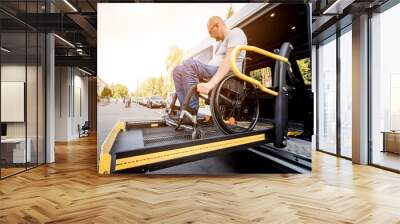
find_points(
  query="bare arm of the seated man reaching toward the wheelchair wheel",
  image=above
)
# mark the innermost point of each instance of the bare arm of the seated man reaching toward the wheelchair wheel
(222, 71)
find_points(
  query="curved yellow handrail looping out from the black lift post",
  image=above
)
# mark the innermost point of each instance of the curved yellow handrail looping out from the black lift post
(246, 78)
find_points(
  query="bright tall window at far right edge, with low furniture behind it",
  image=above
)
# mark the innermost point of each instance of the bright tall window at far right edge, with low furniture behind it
(385, 88)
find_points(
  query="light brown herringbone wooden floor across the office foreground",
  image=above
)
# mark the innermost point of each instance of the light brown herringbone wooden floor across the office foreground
(70, 191)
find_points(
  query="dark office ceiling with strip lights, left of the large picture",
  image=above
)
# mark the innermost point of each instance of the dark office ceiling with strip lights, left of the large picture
(73, 21)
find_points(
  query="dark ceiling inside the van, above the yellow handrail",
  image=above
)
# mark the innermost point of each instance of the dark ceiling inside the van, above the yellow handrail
(284, 23)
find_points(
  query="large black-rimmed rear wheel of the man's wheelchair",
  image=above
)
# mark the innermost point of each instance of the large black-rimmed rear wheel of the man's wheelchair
(234, 105)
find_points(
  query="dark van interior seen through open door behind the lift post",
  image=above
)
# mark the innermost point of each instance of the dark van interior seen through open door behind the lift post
(265, 32)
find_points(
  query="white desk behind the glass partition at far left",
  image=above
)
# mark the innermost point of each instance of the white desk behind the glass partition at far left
(17, 151)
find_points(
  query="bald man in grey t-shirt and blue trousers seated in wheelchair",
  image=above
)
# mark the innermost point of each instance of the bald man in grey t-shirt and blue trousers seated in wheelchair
(191, 71)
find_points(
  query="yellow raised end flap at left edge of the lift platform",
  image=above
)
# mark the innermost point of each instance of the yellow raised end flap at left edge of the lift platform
(105, 156)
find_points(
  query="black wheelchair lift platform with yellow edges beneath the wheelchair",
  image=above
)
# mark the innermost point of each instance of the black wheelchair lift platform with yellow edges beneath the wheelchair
(162, 150)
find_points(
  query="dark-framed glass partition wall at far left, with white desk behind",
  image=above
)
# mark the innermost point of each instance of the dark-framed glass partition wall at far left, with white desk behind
(22, 65)
